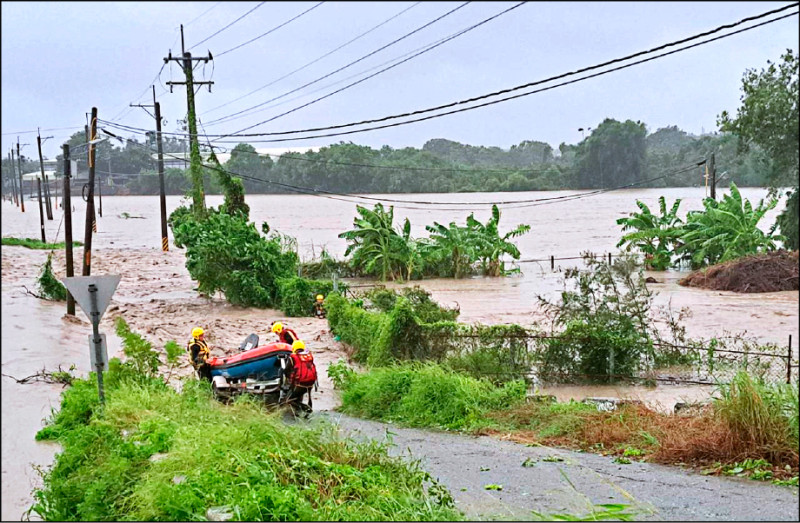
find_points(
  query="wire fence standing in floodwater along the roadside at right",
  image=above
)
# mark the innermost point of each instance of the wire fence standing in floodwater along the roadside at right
(547, 359)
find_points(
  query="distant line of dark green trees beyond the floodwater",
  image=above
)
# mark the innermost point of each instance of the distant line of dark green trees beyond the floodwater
(612, 155)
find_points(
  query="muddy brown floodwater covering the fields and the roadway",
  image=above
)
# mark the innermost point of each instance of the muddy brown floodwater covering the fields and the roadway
(157, 297)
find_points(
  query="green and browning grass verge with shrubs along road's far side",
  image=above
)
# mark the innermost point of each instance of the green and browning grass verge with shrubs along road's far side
(751, 428)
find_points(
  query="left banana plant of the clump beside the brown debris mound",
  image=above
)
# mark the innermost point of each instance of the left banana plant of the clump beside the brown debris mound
(653, 235)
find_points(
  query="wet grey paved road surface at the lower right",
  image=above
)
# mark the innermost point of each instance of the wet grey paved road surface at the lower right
(659, 492)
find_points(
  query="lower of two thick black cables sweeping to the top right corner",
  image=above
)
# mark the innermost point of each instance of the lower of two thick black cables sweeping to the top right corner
(494, 101)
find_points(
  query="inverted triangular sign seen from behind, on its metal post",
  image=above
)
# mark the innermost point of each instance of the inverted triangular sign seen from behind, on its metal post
(93, 294)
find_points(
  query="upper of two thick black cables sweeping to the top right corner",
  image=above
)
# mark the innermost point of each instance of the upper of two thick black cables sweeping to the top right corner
(557, 77)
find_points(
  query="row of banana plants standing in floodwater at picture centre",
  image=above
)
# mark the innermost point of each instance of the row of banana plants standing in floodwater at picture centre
(378, 249)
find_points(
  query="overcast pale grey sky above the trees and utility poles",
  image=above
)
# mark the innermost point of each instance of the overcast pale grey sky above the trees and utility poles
(61, 58)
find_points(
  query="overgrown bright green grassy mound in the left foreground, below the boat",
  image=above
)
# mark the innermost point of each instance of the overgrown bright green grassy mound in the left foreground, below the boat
(148, 455)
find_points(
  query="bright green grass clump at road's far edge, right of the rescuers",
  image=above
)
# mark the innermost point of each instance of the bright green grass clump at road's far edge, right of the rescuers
(426, 395)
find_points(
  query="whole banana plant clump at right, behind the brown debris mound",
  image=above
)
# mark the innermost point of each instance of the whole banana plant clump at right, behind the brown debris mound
(722, 231)
